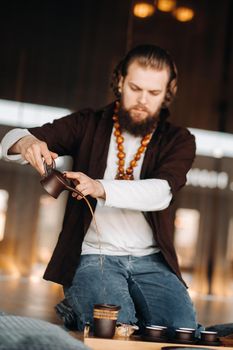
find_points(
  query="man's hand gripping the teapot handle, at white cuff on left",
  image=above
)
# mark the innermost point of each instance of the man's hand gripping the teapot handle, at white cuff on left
(34, 151)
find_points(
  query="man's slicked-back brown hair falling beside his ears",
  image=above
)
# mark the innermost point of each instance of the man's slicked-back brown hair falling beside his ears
(151, 56)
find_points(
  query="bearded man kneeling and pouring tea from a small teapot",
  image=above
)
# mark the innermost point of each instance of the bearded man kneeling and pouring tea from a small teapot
(131, 162)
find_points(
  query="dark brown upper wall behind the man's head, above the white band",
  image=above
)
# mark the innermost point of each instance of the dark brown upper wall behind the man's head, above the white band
(61, 53)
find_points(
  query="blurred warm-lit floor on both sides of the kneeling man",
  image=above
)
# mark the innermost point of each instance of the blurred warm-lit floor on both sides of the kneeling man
(37, 298)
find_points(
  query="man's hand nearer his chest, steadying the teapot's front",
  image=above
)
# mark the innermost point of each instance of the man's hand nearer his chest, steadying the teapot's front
(86, 185)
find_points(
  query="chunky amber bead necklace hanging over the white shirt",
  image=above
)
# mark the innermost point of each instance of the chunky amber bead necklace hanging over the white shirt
(122, 173)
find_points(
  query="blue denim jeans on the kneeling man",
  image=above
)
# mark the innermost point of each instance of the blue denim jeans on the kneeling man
(145, 288)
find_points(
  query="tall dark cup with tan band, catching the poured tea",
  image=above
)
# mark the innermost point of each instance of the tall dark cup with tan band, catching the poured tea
(104, 320)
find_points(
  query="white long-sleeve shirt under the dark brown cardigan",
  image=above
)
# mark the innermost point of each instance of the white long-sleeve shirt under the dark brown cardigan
(122, 226)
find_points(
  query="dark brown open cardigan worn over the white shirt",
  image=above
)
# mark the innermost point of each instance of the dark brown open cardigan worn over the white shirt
(85, 135)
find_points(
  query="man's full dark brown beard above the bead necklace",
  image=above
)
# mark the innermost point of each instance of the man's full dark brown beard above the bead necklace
(141, 128)
